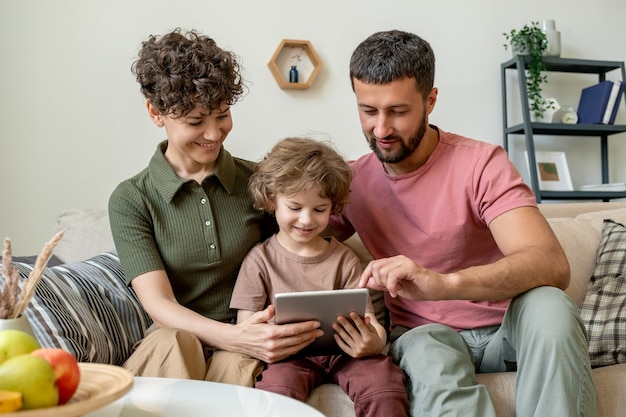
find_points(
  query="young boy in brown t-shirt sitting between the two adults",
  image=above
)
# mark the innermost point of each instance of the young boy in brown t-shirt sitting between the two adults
(302, 182)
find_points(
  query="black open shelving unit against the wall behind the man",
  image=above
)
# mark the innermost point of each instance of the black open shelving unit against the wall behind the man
(529, 128)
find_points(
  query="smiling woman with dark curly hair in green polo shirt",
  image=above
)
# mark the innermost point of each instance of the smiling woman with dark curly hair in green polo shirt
(183, 224)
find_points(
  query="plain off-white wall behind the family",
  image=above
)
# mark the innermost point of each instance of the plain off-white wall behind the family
(73, 123)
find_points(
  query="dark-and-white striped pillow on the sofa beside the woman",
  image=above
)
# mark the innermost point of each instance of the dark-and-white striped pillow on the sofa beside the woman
(86, 308)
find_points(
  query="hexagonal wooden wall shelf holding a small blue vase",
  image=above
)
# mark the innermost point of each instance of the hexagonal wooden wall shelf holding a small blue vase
(303, 56)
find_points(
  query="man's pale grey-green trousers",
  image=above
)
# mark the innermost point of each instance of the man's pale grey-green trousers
(542, 336)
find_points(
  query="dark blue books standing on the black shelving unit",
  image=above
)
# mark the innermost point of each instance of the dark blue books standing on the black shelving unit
(599, 103)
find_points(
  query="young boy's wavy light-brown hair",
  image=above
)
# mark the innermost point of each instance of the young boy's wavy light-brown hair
(297, 165)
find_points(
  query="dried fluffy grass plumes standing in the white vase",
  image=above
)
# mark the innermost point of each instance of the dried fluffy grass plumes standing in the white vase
(13, 302)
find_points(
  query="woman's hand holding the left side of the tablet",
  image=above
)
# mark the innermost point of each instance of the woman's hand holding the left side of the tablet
(259, 338)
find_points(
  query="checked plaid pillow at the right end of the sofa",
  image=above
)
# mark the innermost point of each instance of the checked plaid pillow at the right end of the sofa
(604, 308)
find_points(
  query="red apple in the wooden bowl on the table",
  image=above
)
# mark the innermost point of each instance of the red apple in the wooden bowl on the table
(66, 371)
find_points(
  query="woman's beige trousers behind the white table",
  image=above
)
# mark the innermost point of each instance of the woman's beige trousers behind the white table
(175, 353)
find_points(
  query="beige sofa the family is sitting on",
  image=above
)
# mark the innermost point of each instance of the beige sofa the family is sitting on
(577, 226)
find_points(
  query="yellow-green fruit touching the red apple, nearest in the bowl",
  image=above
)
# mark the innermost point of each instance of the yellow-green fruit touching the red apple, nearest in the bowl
(33, 377)
